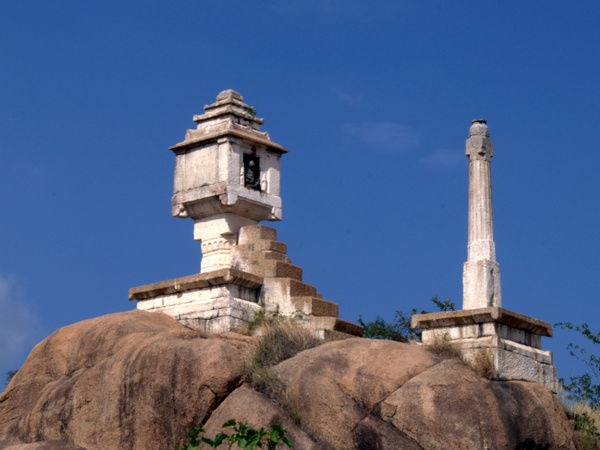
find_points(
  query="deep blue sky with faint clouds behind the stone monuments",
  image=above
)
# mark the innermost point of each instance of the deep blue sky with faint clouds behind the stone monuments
(373, 99)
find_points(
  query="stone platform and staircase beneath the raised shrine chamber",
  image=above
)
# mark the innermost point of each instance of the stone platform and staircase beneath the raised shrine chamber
(262, 278)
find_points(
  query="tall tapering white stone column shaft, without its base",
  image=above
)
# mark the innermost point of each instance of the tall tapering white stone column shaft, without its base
(481, 272)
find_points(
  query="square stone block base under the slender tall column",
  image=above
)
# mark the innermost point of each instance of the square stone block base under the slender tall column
(512, 341)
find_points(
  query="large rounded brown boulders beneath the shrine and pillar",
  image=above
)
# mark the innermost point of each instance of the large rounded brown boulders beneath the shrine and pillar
(139, 380)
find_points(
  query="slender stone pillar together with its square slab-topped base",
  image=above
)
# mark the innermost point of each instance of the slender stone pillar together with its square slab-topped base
(510, 340)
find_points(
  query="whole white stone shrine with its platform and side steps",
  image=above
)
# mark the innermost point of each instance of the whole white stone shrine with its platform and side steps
(227, 180)
